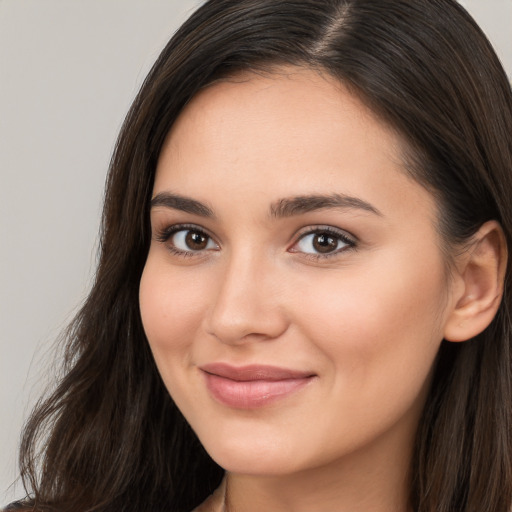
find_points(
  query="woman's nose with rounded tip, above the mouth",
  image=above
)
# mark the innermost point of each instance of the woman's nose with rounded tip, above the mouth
(248, 304)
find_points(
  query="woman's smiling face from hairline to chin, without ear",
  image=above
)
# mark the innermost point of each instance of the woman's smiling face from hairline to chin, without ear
(295, 292)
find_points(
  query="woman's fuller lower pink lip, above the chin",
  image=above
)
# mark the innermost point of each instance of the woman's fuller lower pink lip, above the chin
(254, 393)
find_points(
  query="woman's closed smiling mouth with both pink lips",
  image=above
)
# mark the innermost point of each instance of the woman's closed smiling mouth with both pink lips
(254, 386)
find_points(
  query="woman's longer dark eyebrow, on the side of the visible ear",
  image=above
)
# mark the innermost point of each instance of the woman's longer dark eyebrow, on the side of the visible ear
(298, 205)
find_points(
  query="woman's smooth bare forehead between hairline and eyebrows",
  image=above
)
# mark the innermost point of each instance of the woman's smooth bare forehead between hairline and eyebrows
(294, 131)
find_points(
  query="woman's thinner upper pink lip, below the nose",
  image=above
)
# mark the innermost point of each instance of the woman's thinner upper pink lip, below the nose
(254, 372)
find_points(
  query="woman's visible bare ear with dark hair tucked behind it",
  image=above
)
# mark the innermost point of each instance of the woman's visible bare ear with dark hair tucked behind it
(478, 287)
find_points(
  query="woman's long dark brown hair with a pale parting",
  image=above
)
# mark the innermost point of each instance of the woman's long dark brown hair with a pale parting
(110, 436)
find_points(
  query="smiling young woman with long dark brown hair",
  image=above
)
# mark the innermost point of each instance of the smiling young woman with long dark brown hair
(303, 296)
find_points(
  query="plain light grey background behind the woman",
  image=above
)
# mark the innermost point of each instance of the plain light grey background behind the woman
(68, 72)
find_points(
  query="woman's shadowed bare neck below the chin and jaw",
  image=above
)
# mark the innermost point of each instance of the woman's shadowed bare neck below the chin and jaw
(376, 479)
